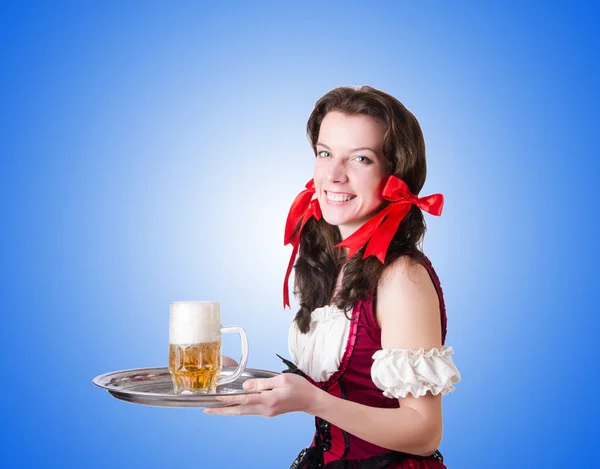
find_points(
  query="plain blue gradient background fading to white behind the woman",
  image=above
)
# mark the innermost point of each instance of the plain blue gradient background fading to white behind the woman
(150, 153)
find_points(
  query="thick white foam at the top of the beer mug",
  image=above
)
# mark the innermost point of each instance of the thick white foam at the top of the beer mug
(194, 322)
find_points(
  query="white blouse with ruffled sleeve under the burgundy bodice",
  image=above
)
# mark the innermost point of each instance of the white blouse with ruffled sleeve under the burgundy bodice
(397, 372)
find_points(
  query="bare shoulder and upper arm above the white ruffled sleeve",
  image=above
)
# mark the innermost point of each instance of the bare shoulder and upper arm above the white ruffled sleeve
(407, 307)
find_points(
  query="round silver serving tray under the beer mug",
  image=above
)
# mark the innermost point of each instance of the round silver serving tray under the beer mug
(153, 386)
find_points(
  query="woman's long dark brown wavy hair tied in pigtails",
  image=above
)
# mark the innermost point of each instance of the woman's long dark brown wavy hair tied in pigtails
(319, 261)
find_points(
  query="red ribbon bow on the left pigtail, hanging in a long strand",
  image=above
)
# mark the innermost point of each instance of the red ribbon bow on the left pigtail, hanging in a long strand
(301, 211)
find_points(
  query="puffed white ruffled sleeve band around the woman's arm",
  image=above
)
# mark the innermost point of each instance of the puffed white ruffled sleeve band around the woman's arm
(398, 372)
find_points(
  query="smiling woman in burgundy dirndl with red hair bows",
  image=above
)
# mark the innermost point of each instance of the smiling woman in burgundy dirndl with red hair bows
(367, 343)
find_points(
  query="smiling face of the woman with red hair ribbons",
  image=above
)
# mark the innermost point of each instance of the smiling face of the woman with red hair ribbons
(349, 170)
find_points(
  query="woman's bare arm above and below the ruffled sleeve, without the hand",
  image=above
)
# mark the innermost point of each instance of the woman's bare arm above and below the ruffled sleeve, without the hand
(408, 312)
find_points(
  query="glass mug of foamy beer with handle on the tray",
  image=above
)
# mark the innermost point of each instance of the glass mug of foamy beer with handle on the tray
(195, 347)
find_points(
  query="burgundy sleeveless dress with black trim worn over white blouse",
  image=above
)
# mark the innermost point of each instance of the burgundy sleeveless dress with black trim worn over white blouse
(332, 447)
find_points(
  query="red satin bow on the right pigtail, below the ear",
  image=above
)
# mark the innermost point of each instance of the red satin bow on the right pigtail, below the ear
(379, 230)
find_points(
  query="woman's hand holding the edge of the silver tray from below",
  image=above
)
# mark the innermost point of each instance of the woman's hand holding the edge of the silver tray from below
(283, 393)
